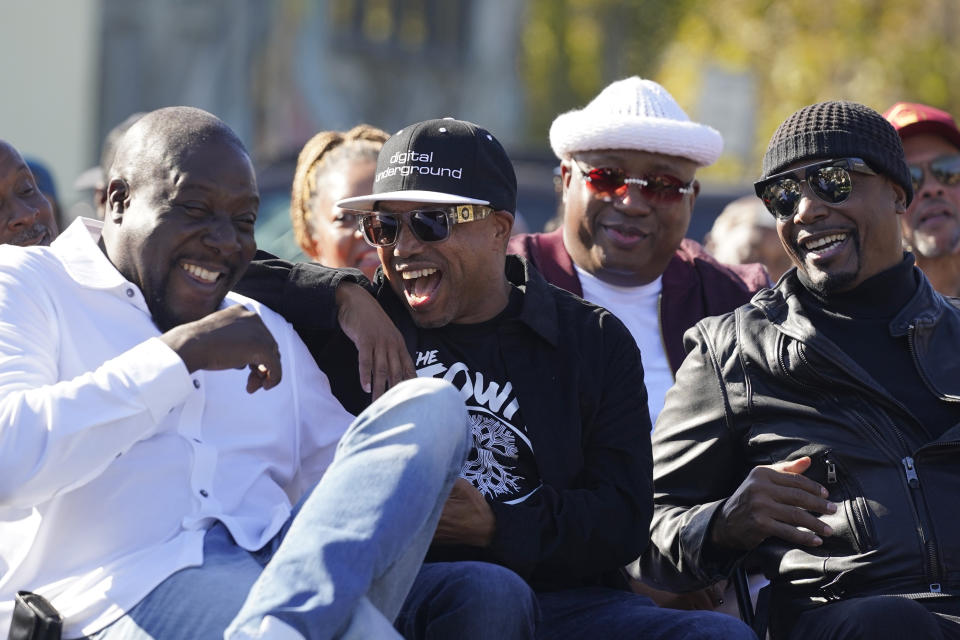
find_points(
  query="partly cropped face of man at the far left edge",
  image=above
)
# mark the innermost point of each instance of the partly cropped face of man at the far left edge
(26, 217)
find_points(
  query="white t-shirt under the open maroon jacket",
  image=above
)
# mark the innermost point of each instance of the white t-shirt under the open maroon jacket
(637, 308)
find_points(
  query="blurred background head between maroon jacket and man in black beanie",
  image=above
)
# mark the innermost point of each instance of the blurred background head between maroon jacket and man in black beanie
(745, 232)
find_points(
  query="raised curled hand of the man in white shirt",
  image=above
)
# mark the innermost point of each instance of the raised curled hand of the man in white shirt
(232, 338)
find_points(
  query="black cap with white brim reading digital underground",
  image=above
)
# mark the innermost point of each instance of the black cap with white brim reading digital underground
(444, 161)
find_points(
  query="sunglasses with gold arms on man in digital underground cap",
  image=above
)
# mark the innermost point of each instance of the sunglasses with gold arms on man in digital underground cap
(428, 225)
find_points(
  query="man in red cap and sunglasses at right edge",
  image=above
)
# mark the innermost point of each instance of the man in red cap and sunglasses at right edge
(931, 226)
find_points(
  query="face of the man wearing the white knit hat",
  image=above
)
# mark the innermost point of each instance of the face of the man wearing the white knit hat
(627, 241)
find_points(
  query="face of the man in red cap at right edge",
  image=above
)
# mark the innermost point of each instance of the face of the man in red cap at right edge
(932, 223)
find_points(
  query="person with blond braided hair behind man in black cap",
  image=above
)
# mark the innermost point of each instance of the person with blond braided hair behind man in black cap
(334, 165)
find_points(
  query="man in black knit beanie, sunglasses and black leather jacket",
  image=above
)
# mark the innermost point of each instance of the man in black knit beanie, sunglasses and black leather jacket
(816, 429)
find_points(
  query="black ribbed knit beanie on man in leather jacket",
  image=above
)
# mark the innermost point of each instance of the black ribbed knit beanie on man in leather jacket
(839, 129)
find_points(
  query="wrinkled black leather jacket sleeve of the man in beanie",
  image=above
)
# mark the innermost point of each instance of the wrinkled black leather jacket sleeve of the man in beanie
(697, 461)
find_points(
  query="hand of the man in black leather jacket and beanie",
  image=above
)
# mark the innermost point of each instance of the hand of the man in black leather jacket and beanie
(774, 500)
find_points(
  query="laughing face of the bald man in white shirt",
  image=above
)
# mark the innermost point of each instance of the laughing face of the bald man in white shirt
(181, 228)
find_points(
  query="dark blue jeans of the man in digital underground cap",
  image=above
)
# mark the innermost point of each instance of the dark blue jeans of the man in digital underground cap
(479, 601)
